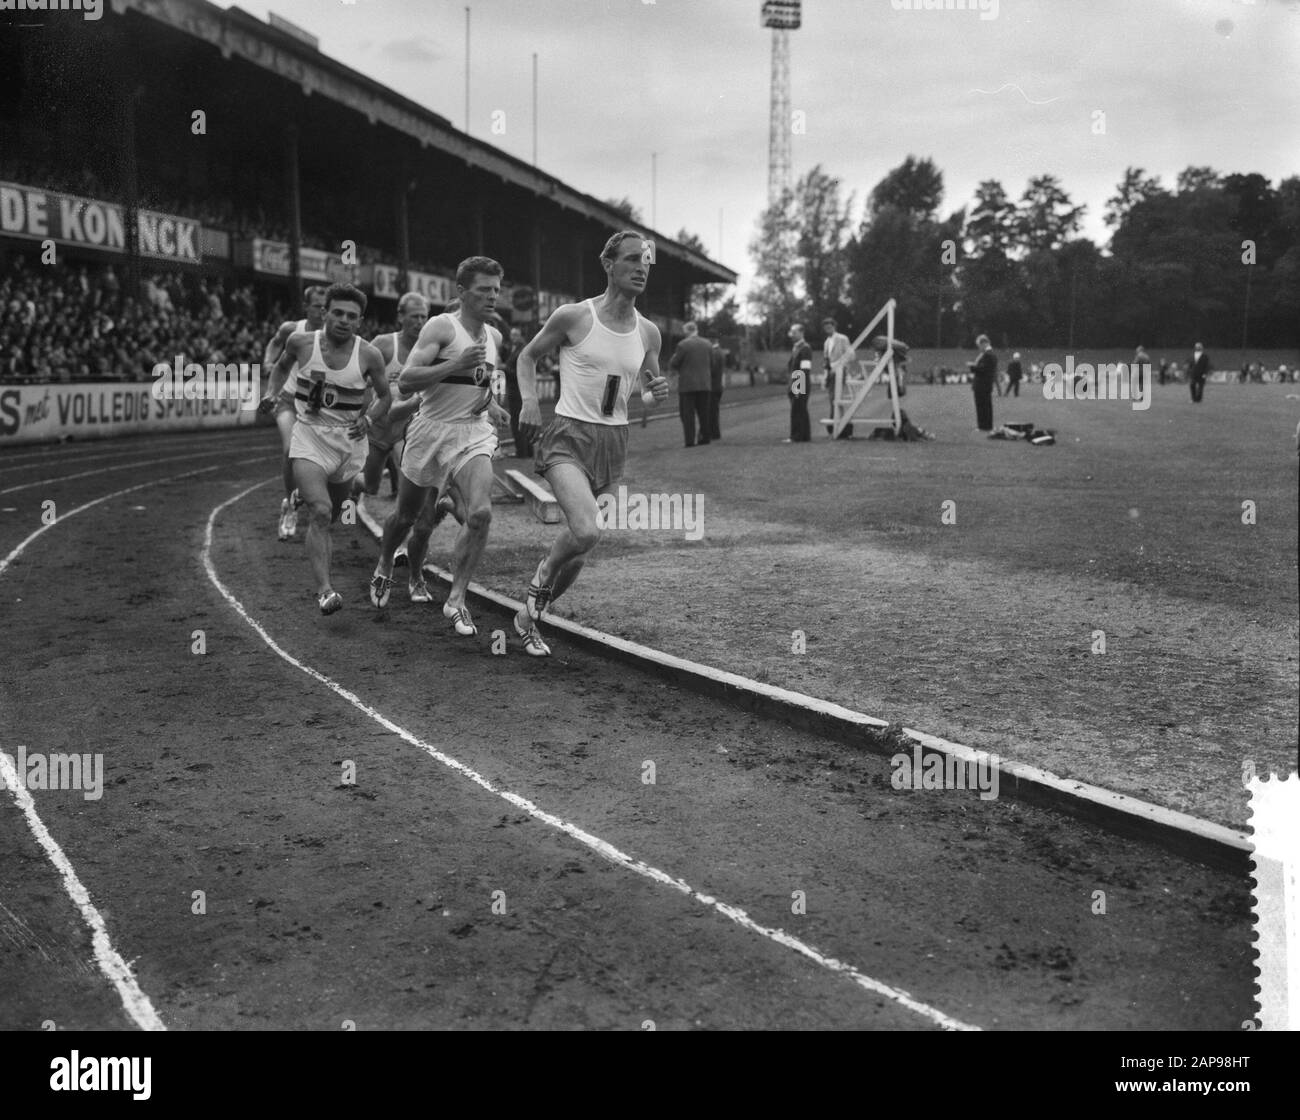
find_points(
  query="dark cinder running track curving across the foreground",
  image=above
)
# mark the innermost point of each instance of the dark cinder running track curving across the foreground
(374, 904)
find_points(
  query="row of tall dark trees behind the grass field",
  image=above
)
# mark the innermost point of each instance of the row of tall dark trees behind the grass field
(1214, 259)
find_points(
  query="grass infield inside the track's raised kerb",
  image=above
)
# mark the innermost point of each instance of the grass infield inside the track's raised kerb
(987, 631)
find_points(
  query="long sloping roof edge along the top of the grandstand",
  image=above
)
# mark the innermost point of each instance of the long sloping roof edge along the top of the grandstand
(237, 33)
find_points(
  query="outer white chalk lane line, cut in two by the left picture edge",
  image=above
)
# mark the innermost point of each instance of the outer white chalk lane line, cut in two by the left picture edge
(110, 961)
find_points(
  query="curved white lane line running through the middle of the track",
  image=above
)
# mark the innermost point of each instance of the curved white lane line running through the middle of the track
(601, 848)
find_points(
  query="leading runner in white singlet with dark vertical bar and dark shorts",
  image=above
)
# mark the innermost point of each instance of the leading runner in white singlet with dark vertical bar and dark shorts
(605, 346)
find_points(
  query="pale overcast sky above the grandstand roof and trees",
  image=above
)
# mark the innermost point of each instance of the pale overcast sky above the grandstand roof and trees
(1180, 83)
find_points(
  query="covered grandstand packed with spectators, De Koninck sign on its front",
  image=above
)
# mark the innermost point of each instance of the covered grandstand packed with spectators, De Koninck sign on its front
(190, 203)
